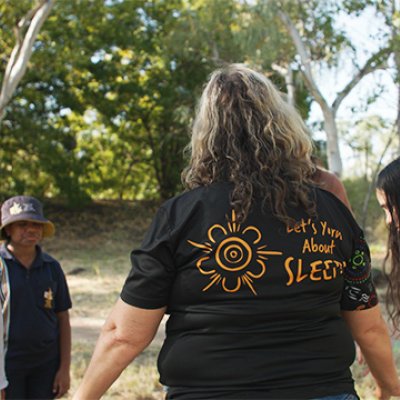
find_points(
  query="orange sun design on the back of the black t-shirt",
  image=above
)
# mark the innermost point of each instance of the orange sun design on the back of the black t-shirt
(236, 259)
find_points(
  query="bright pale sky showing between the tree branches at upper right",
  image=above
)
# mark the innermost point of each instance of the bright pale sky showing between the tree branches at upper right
(364, 33)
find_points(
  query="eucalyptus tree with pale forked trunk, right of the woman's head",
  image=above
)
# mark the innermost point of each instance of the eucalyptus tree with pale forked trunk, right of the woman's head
(307, 37)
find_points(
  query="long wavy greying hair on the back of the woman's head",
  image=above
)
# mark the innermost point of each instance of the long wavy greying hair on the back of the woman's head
(245, 133)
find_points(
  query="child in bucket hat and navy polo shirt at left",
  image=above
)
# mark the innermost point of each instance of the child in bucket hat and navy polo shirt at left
(35, 309)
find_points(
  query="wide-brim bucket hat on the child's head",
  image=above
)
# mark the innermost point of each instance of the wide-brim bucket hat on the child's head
(24, 208)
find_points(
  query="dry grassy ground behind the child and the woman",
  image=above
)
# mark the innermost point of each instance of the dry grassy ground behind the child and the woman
(98, 241)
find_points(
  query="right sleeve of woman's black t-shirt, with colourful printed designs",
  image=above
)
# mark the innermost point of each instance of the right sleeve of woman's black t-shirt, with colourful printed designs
(358, 291)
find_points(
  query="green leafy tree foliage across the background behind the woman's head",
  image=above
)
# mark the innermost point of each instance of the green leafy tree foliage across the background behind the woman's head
(106, 105)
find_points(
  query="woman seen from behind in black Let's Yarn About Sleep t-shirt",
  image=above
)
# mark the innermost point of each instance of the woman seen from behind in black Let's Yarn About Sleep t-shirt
(264, 276)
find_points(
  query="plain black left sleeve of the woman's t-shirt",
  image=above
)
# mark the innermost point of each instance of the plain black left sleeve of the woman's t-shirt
(150, 279)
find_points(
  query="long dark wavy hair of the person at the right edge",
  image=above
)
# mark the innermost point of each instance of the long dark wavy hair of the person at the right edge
(388, 183)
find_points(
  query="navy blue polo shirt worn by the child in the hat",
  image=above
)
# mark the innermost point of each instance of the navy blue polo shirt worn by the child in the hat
(37, 294)
